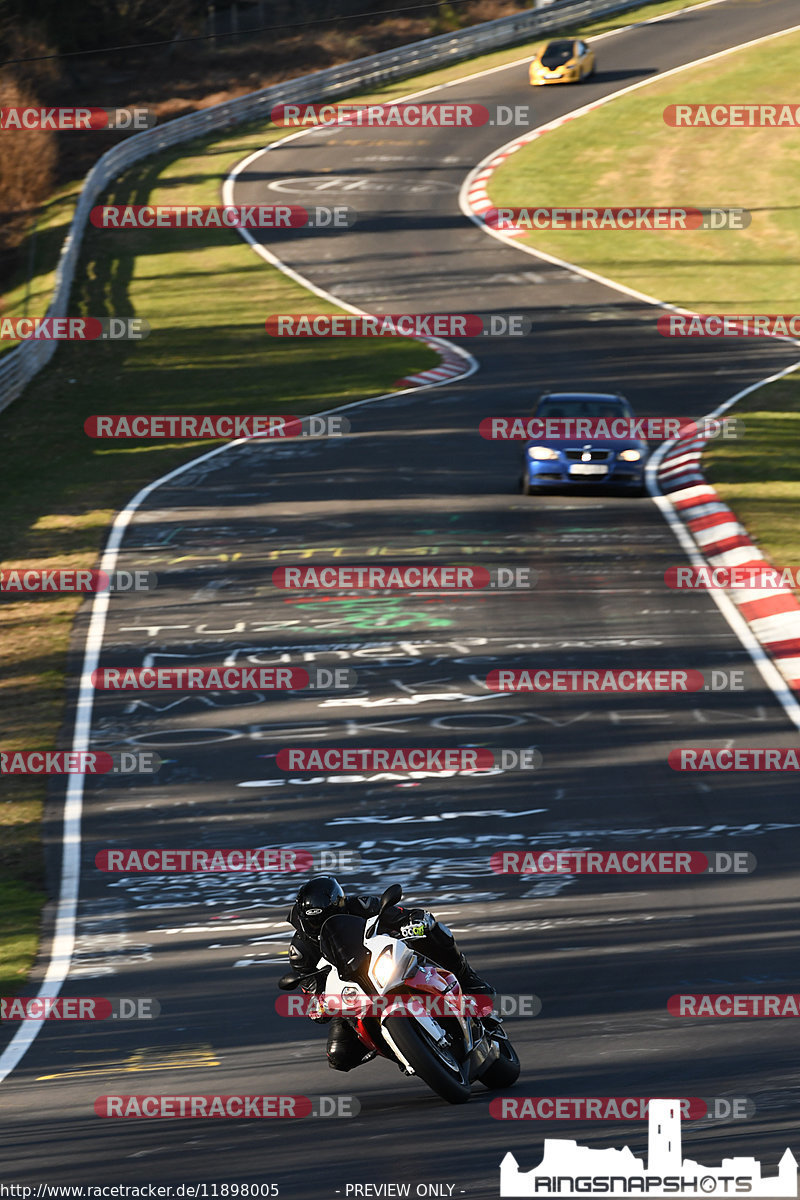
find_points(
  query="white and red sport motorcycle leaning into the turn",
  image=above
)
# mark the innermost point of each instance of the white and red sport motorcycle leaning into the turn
(388, 992)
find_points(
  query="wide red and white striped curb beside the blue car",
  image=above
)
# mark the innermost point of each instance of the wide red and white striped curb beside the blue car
(773, 614)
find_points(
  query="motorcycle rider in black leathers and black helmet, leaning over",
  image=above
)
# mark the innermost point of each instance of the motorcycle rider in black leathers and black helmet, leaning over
(323, 897)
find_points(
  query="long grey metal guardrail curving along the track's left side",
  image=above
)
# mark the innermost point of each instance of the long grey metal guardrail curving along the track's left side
(19, 368)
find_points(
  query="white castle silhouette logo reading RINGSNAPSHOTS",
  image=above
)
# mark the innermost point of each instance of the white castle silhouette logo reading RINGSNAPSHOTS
(570, 1171)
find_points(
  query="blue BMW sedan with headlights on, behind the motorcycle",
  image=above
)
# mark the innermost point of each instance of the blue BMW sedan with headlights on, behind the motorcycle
(572, 455)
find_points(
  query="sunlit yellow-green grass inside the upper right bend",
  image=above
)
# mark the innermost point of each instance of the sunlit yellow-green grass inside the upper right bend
(624, 154)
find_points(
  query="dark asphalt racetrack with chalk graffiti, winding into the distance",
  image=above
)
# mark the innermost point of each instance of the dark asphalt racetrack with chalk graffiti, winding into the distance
(416, 479)
